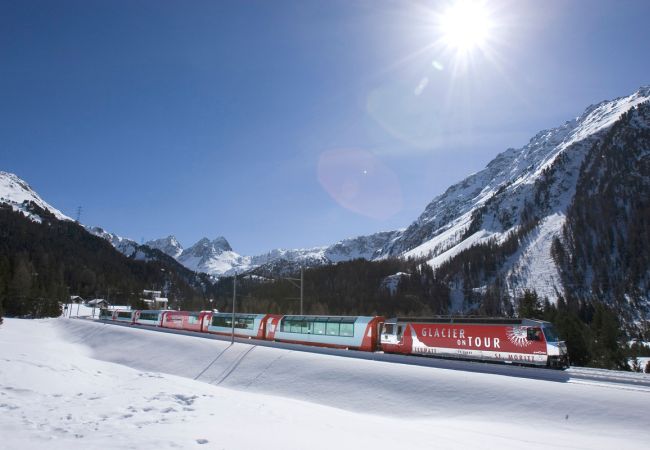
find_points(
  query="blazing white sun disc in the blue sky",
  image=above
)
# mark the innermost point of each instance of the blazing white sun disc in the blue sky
(465, 25)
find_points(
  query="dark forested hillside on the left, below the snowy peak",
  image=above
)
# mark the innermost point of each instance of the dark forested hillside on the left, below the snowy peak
(43, 260)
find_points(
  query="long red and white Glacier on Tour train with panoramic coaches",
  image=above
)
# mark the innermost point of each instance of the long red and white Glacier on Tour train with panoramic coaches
(507, 340)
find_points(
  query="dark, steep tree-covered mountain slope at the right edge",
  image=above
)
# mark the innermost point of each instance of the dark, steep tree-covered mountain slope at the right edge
(603, 251)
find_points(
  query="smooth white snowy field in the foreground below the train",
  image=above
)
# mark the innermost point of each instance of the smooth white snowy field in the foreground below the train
(76, 384)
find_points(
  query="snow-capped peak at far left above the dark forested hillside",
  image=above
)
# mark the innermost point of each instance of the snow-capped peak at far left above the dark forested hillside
(19, 195)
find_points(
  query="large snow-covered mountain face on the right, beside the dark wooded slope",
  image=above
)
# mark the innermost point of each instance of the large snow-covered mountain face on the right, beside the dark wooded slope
(527, 187)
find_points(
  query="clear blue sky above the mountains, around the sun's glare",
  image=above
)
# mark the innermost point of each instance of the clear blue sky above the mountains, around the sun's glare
(287, 123)
